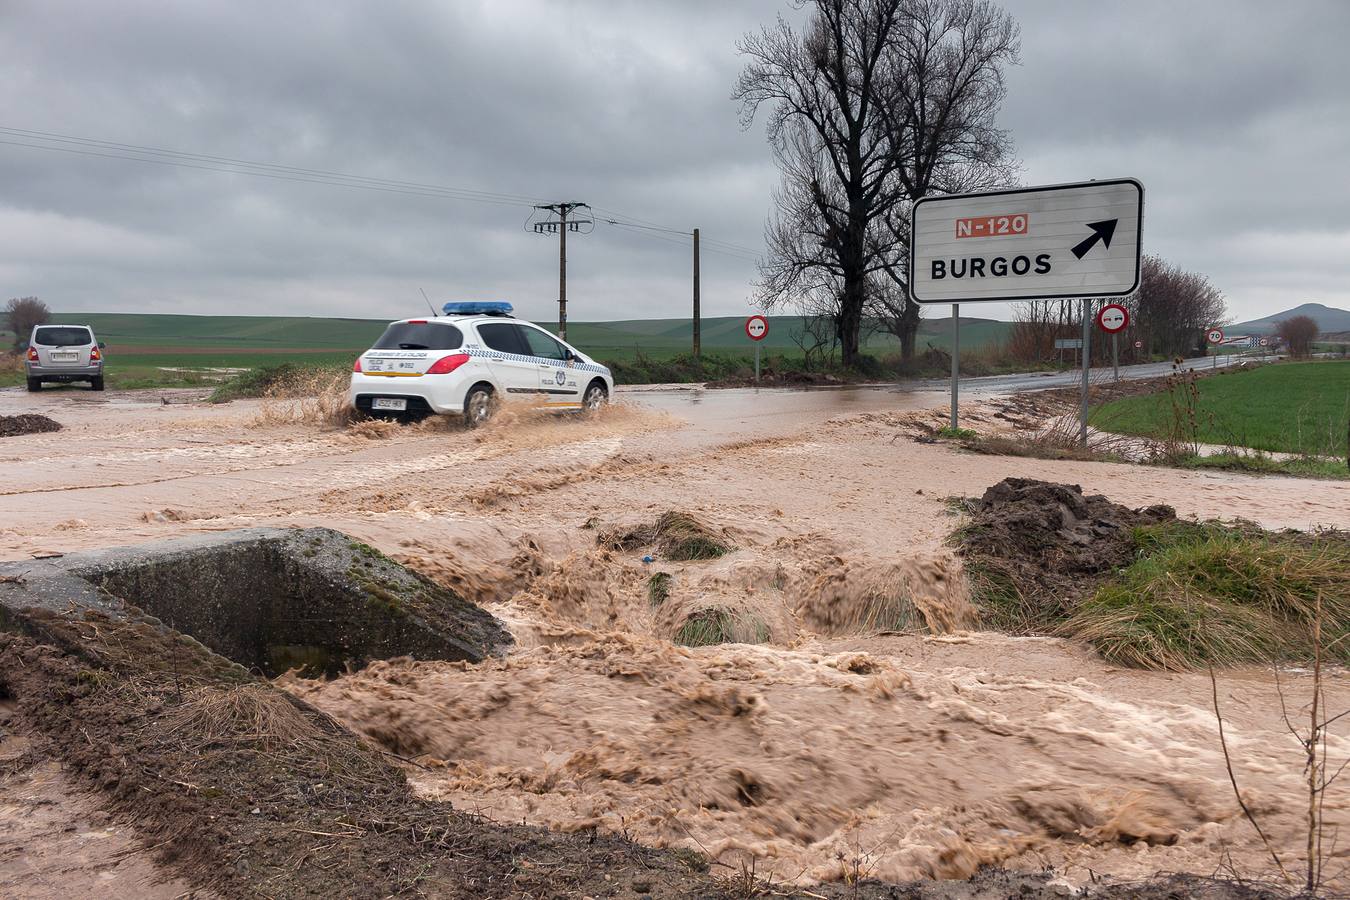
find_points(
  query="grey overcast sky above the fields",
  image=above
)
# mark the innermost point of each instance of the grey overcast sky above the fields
(1235, 115)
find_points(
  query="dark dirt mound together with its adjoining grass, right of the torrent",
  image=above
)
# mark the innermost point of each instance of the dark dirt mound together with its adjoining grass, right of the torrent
(1150, 590)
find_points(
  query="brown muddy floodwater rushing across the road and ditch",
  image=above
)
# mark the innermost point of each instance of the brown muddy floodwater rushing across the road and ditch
(862, 727)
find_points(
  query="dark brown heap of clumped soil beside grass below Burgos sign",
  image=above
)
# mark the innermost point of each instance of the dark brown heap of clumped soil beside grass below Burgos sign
(1043, 547)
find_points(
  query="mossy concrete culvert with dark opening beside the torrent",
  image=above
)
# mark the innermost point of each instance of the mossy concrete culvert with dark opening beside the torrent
(269, 600)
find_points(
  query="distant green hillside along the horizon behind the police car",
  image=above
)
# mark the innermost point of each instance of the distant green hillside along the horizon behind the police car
(190, 335)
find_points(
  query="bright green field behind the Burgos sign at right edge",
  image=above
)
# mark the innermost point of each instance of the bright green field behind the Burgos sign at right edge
(1290, 408)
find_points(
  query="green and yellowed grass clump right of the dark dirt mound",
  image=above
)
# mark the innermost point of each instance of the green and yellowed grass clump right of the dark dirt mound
(1208, 594)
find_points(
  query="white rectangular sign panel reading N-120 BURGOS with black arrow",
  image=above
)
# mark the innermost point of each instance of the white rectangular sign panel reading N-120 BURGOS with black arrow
(1032, 244)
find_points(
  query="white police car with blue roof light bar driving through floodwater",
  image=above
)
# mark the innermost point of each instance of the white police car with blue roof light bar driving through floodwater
(465, 362)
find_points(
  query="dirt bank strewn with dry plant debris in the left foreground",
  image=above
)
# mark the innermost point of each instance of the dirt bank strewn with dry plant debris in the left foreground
(245, 790)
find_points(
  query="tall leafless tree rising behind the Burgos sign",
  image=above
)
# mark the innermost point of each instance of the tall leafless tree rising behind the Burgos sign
(875, 105)
